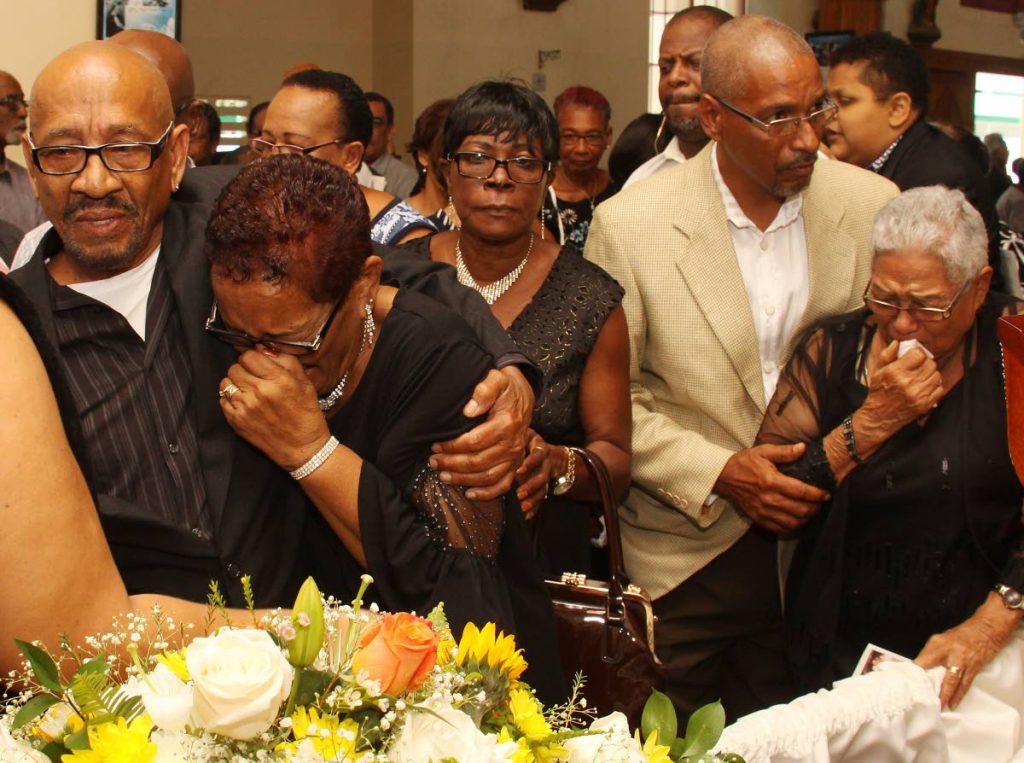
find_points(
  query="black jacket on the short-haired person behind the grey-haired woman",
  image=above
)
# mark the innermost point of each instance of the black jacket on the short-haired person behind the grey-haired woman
(926, 156)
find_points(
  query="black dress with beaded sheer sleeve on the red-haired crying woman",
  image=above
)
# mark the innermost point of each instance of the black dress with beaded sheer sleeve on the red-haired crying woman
(424, 542)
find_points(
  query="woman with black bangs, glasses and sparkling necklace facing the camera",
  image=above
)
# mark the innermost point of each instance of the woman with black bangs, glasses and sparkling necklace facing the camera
(501, 142)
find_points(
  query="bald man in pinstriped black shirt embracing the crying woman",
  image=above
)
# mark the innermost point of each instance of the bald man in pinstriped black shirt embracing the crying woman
(122, 289)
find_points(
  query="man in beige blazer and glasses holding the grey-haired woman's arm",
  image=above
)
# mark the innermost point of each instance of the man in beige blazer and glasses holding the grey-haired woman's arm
(700, 523)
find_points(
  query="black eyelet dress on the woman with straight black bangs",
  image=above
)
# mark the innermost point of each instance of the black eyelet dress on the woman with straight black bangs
(558, 330)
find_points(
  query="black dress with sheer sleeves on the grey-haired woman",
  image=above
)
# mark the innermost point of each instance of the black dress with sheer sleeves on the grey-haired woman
(914, 540)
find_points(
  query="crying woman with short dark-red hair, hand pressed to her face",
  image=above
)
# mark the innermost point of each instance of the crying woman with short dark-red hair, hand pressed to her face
(347, 384)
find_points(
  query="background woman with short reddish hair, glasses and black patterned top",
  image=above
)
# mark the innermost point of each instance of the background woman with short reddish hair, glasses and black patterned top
(584, 135)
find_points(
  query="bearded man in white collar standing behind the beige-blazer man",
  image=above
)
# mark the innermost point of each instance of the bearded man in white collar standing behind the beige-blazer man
(679, 87)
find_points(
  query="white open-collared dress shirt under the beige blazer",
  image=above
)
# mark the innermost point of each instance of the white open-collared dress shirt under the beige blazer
(774, 265)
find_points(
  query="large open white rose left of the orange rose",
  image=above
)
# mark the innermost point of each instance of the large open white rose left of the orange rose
(241, 679)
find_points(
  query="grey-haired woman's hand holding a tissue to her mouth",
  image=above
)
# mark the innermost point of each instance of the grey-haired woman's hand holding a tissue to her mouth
(902, 390)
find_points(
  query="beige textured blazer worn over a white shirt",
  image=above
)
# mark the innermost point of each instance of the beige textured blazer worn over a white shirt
(695, 367)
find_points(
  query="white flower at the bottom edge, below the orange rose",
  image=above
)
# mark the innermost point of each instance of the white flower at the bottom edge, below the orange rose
(447, 734)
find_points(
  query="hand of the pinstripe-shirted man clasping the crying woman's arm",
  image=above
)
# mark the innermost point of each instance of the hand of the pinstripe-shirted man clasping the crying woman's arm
(485, 459)
